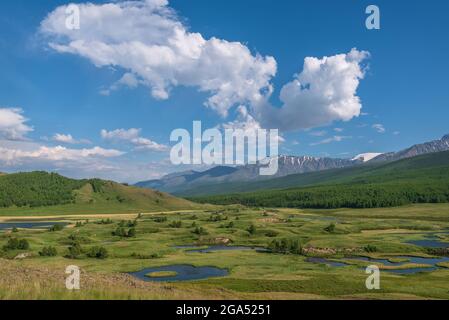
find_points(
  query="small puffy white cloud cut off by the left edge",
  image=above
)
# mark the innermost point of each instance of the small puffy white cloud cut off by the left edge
(13, 124)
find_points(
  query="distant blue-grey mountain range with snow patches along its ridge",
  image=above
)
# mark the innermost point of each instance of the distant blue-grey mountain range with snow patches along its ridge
(222, 179)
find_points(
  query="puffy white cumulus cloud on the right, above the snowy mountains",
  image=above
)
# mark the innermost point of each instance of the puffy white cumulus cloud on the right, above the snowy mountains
(325, 91)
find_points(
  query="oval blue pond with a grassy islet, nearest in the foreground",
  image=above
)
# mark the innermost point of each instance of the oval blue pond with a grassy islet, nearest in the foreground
(183, 273)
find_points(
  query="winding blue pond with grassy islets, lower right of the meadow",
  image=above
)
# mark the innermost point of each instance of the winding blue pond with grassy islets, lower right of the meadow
(431, 262)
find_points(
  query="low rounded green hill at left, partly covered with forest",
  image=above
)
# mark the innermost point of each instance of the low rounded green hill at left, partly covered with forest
(42, 192)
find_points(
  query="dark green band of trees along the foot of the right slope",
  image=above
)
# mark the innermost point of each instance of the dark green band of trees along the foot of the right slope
(339, 196)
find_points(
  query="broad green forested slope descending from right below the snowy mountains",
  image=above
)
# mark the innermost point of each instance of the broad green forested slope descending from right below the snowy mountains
(416, 180)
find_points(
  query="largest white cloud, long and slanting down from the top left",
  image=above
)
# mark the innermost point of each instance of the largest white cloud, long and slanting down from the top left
(149, 41)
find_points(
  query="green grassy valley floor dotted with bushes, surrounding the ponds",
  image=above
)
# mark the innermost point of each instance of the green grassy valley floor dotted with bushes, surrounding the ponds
(252, 275)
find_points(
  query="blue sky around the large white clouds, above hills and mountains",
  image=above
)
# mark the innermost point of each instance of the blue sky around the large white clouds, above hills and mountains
(403, 93)
